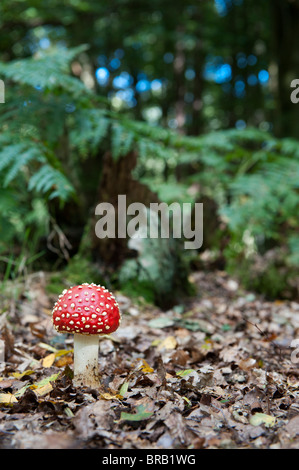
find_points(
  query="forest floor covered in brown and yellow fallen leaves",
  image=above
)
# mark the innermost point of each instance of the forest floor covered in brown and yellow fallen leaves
(215, 372)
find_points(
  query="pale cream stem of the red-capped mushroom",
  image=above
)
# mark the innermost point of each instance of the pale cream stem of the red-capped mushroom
(86, 366)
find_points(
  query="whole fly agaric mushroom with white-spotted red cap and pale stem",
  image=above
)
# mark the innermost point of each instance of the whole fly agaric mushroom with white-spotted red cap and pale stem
(87, 310)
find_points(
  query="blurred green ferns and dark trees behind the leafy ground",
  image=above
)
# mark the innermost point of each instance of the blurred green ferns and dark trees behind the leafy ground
(197, 91)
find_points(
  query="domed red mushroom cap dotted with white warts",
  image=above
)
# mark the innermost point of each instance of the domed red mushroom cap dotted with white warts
(87, 309)
